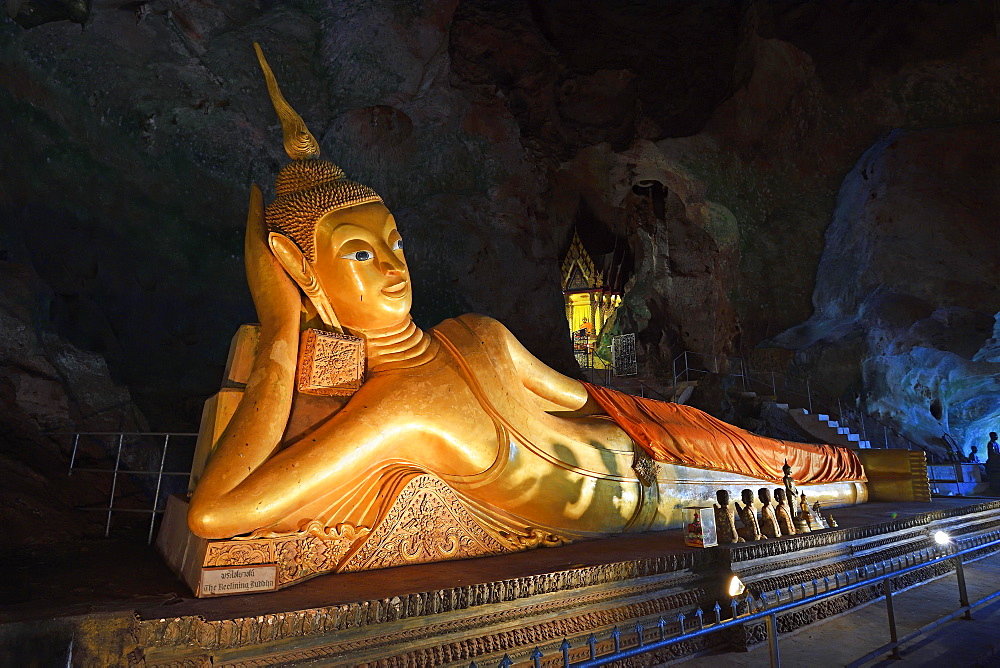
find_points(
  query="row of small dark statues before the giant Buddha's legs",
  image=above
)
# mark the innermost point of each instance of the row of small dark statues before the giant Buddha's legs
(773, 520)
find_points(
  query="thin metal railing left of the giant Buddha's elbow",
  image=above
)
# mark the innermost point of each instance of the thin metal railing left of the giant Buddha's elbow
(143, 464)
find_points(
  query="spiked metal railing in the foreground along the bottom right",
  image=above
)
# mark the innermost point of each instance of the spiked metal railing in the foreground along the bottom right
(768, 605)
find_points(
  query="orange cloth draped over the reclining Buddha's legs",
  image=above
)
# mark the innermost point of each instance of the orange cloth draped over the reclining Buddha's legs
(678, 434)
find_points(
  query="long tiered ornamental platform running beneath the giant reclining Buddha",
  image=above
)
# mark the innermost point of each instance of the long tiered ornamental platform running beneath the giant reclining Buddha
(479, 610)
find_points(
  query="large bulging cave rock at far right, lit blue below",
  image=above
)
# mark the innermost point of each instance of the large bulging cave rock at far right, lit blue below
(919, 327)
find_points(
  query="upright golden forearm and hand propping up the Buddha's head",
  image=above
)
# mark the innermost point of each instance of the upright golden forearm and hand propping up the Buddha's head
(254, 432)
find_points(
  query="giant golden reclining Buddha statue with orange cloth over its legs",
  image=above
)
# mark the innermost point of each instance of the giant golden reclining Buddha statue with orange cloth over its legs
(456, 441)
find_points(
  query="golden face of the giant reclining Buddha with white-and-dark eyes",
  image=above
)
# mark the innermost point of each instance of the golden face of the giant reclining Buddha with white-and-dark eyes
(361, 269)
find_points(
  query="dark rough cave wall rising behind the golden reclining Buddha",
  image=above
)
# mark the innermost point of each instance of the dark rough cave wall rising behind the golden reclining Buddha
(710, 140)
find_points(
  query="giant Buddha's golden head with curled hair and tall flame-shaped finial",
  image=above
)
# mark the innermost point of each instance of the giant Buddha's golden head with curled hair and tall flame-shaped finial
(334, 237)
